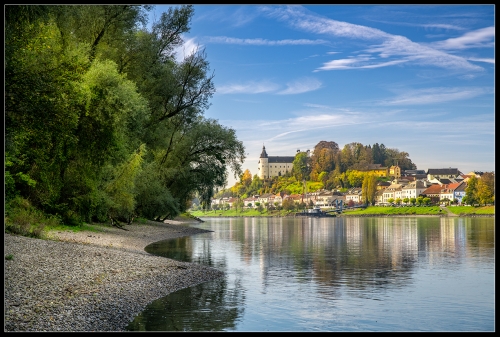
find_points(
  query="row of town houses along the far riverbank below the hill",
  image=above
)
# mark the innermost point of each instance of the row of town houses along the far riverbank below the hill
(446, 186)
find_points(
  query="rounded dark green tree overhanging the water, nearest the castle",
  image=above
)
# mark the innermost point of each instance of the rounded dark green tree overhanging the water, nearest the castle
(198, 160)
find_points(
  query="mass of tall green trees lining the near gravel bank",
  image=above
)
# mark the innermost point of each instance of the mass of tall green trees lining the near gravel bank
(102, 123)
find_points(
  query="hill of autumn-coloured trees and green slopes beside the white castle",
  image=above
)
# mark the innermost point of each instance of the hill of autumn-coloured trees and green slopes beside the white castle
(328, 167)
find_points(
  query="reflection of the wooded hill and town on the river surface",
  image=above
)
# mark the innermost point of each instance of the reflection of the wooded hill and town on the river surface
(357, 252)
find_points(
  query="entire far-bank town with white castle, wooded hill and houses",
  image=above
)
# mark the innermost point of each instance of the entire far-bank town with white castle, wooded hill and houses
(348, 177)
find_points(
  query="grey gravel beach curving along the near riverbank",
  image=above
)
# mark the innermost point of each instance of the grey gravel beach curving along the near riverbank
(92, 280)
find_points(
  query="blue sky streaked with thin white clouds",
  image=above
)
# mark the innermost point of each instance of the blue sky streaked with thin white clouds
(417, 78)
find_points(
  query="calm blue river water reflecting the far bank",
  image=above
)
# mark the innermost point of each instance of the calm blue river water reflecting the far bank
(333, 274)
